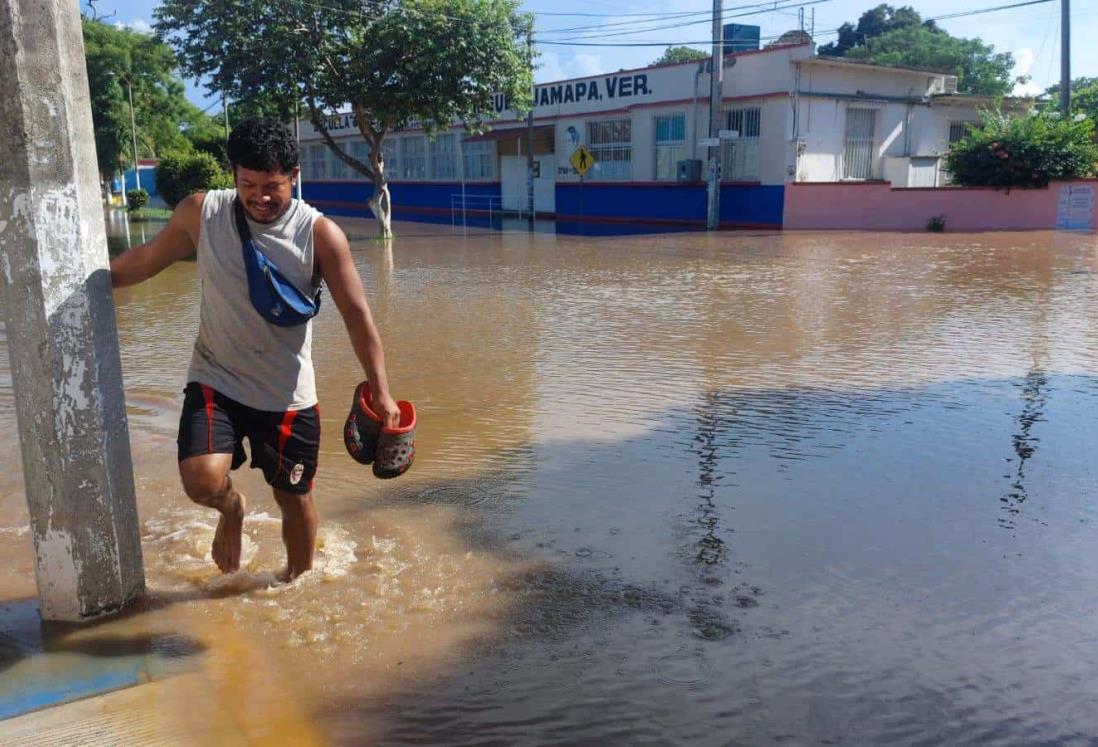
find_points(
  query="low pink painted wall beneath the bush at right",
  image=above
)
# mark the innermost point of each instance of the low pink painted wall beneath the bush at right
(878, 207)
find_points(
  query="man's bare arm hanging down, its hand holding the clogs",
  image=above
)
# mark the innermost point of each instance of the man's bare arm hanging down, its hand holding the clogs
(338, 269)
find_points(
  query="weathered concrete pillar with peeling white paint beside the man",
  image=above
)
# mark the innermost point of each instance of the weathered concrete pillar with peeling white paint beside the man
(60, 314)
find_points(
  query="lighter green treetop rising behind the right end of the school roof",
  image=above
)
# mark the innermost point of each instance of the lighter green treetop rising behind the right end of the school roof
(979, 69)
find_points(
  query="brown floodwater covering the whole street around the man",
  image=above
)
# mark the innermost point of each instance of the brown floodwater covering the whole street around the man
(694, 489)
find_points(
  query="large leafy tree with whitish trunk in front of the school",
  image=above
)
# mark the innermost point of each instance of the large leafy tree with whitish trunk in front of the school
(432, 62)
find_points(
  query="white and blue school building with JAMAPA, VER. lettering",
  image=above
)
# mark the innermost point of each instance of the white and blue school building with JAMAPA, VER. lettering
(796, 117)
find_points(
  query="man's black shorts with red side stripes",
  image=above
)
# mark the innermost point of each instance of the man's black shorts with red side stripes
(286, 445)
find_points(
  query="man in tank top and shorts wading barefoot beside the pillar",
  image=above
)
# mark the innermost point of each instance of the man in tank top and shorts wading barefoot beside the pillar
(249, 376)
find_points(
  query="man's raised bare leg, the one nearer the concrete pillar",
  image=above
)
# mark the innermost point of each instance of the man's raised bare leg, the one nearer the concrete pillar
(207, 483)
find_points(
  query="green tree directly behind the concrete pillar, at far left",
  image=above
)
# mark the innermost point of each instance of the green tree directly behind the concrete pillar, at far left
(162, 113)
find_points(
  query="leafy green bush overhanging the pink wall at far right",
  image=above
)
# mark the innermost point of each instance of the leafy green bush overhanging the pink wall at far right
(1010, 151)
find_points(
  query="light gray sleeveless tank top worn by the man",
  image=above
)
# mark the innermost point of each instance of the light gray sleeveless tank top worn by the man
(238, 352)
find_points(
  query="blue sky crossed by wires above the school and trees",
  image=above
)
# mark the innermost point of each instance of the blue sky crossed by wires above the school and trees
(1032, 35)
